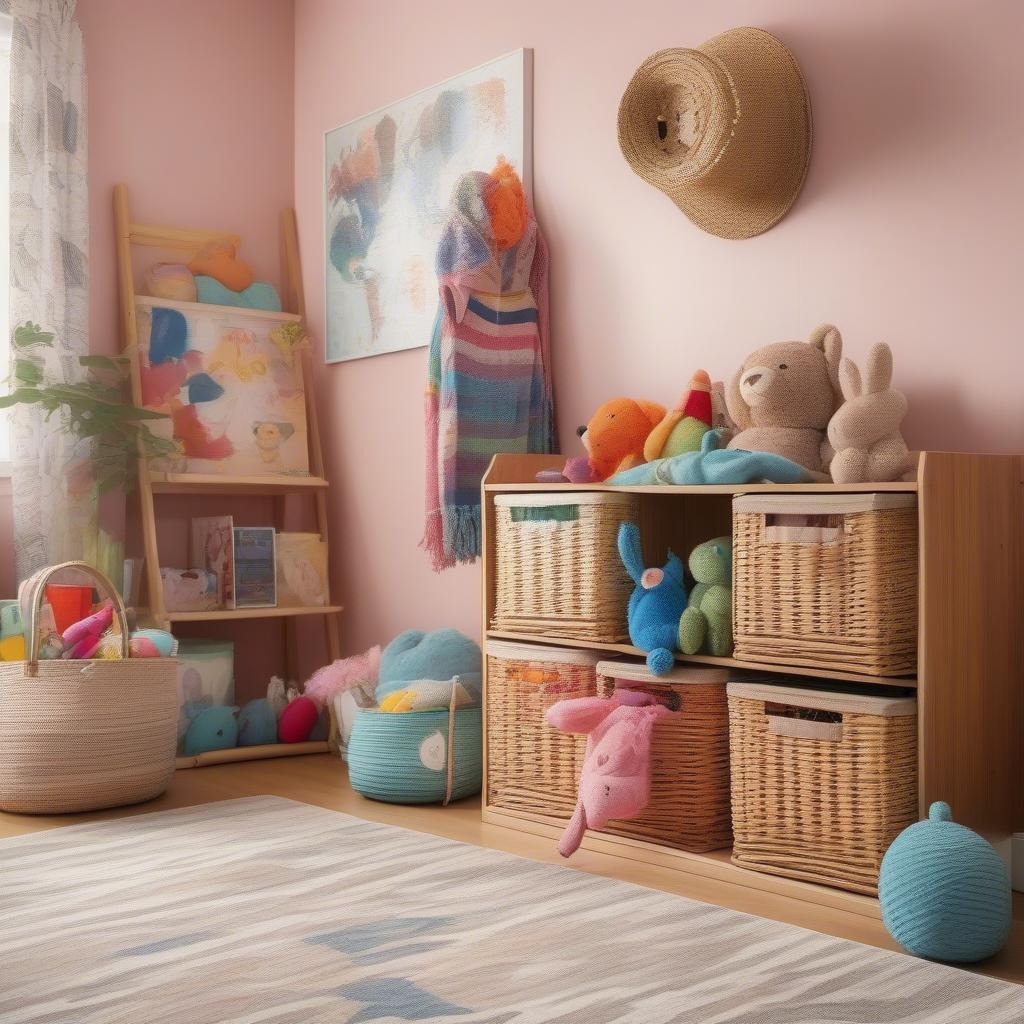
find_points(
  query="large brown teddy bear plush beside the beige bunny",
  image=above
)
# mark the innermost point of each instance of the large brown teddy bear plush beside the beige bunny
(784, 397)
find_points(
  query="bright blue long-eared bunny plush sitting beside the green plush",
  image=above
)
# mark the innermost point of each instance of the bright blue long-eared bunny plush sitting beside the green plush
(657, 604)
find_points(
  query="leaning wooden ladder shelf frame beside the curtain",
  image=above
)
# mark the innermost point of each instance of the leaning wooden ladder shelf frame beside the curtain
(151, 484)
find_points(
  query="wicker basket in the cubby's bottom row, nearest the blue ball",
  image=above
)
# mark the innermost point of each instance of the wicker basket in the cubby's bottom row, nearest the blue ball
(823, 782)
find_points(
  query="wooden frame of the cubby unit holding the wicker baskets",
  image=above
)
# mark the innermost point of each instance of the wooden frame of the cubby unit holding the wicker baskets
(970, 660)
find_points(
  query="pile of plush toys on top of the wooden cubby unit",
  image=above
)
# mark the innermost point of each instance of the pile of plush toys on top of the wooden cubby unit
(794, 412)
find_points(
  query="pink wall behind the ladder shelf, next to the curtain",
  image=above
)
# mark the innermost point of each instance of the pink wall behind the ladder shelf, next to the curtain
(191, 106)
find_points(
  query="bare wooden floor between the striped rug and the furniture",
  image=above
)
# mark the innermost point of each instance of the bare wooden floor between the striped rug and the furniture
(321, 780)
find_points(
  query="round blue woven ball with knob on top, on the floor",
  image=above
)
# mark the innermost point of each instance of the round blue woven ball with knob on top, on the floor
(945, 891)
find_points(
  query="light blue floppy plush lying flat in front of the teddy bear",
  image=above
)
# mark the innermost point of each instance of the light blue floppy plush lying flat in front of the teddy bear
(714, 464)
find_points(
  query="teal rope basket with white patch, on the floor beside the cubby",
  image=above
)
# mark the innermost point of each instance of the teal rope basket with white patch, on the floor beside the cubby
(403, 758)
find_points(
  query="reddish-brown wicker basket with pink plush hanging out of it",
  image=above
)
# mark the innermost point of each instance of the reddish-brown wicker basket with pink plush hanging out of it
(690, 794)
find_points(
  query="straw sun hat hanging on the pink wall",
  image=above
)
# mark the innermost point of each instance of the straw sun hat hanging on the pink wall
(723, 131)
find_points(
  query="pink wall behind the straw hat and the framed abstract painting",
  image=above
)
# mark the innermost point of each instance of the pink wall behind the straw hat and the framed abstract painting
(909, 231)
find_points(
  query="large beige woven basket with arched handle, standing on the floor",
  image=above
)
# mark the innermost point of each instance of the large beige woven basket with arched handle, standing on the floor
(86, 735)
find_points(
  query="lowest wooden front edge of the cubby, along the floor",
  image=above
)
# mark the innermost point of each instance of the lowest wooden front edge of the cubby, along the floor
(715, 866)
